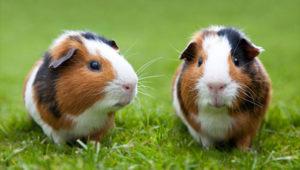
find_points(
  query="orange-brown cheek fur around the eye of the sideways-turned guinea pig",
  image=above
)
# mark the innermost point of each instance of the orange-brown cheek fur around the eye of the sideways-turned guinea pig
(78, 88)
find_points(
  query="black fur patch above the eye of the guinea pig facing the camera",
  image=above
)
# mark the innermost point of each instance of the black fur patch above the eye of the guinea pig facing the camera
(234, 37)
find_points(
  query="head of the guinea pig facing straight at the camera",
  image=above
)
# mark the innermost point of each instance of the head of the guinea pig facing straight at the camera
(219, 62)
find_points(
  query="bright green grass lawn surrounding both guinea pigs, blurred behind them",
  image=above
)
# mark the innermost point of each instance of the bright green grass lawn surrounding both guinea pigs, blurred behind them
(148, 134)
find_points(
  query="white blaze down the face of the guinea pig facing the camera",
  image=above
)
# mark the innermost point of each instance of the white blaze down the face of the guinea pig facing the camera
(216, 70)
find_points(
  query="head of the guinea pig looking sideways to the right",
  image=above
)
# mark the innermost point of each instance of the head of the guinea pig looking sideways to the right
(90, 71)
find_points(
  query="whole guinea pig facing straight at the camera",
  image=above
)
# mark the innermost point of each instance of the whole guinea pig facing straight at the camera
(221, 90)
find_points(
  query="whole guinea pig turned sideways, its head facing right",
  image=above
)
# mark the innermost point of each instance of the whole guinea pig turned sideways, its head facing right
(74, 91)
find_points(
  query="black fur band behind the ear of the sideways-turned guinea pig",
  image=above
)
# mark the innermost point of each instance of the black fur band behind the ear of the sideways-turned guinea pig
(44, 84)
